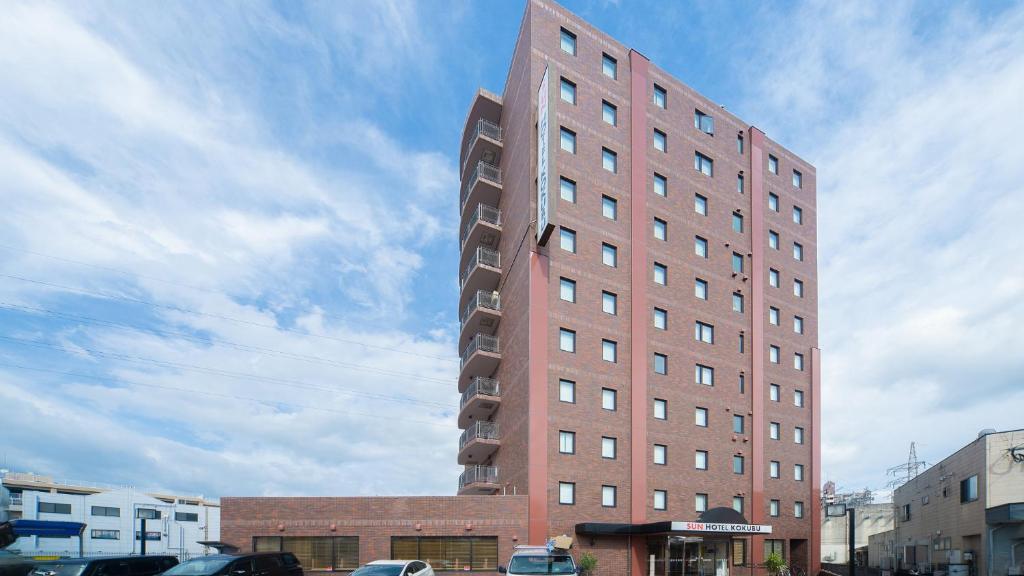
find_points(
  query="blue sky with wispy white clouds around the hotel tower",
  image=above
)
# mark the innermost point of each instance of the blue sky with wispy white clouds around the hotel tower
(228, 244)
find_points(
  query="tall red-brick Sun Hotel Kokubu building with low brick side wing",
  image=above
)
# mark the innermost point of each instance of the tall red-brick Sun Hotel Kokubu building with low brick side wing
(638, 324)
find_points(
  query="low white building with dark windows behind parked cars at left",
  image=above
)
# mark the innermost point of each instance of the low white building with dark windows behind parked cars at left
(176, 524)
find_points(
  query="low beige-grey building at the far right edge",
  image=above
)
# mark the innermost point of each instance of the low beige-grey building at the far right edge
(968, 510)
